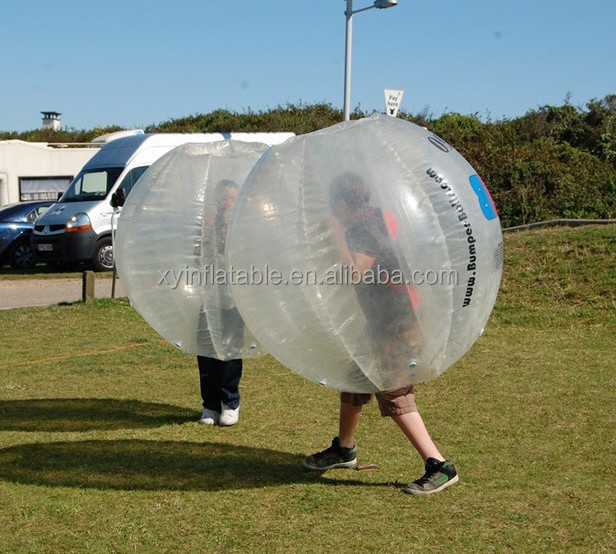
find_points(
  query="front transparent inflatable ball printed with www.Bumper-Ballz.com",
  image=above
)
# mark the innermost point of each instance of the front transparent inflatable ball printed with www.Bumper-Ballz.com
(375, 252)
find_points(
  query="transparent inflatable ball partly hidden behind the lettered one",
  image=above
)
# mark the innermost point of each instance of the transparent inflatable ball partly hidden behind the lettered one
(170, 247)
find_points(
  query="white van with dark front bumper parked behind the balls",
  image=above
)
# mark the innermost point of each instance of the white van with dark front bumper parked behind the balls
(78, 227)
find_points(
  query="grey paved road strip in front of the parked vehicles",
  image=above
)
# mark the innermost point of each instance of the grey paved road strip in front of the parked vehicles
(21, 293)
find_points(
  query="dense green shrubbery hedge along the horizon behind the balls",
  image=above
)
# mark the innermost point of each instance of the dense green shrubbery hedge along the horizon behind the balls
(553, 162)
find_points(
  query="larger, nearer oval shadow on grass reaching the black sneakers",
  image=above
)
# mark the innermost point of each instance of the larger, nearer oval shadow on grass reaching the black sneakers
(153, 465)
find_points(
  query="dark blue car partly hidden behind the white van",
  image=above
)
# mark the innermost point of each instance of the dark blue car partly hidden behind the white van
(16, 224)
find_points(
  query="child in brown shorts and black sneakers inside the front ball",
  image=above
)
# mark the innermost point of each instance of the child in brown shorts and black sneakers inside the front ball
(361, 235)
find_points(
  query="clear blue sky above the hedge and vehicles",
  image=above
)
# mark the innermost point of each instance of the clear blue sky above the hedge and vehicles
(136, 63)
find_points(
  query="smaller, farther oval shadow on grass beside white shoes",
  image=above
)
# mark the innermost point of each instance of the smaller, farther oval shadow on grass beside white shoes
(86, 414)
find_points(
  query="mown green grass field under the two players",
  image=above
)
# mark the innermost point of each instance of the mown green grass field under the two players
(100, 450)
